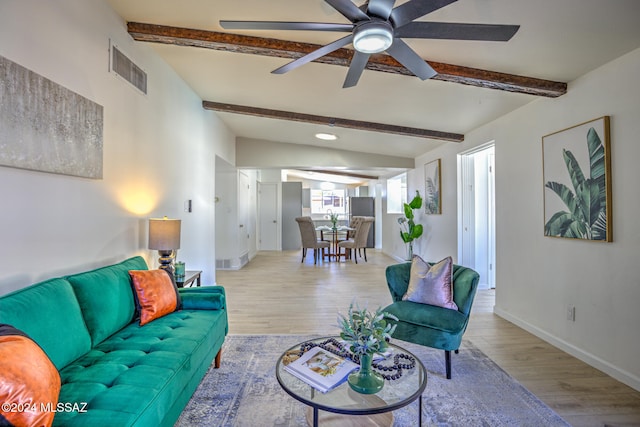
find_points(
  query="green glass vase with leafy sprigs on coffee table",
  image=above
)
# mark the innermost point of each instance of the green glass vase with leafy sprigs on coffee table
(366, 333)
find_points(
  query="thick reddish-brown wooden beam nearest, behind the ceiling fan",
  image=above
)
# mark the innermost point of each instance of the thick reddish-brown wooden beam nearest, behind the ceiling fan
(385, 63)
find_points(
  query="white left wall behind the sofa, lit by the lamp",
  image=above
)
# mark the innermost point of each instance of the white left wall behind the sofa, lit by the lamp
(159, 151)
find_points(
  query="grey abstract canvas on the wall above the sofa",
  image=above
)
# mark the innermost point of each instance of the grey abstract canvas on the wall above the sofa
(46, 127)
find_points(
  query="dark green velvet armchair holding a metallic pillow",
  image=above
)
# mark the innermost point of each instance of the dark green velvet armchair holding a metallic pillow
(428, 325)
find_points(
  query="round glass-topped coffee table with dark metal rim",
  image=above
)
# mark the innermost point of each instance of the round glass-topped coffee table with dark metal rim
(371, 409)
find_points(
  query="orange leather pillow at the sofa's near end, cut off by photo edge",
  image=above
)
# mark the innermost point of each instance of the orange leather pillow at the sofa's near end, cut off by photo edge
(29, 382)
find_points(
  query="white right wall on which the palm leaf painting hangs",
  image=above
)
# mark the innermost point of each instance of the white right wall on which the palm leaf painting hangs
(538, 276)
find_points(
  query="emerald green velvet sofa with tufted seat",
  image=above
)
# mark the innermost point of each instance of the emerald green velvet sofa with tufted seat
(119, 373)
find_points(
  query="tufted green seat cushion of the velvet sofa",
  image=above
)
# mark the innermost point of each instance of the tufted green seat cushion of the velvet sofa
(147, 367)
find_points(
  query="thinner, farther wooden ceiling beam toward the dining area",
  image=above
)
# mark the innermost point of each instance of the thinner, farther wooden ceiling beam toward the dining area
(333, 121)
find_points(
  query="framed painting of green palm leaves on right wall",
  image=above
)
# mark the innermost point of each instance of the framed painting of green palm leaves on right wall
(577, 182)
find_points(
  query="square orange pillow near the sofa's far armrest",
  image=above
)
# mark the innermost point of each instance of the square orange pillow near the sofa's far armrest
(155, 293)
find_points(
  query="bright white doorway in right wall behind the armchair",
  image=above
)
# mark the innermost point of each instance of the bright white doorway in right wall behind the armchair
(476, 227)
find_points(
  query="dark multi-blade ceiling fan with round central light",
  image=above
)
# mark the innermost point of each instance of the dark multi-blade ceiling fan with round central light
(378, 26)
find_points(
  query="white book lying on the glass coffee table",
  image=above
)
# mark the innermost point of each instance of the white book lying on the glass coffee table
(321, 369)
